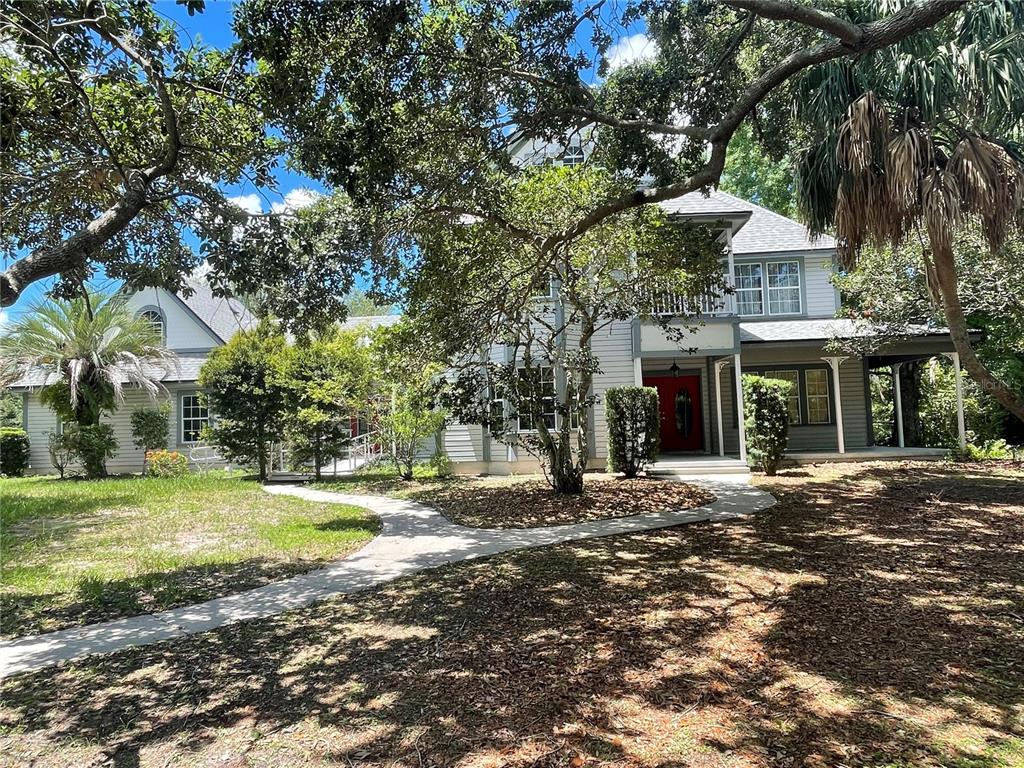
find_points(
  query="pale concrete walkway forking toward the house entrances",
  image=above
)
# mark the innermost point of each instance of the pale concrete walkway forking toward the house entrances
(414, 538)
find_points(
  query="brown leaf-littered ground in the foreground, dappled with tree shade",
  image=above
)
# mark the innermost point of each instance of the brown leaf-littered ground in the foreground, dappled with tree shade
(874, 618)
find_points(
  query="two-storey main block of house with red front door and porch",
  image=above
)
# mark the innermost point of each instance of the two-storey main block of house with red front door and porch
(780, 322)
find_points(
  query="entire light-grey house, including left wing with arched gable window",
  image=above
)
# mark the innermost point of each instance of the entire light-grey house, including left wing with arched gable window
(779, 322)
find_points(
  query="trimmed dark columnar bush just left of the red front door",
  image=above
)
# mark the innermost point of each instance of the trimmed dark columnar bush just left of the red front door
(634, 429)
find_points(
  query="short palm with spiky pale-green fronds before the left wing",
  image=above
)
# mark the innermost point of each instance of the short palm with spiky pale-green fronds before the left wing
(91, 350)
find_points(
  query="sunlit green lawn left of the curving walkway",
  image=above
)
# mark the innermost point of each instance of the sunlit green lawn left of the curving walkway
(81, 551)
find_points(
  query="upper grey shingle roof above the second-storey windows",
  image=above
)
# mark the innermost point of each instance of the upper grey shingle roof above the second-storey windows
(765, 232)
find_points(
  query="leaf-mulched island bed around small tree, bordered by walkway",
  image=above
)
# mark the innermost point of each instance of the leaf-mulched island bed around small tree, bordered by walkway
(530, 502)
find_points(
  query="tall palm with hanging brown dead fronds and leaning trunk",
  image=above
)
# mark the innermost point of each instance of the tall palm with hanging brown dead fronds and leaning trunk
(918, 141)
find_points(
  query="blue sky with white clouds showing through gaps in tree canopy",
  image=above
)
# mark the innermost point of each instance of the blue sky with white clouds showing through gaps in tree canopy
(214, 28)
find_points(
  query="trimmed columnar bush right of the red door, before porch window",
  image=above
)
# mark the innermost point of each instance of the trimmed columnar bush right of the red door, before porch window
(766, 418)
